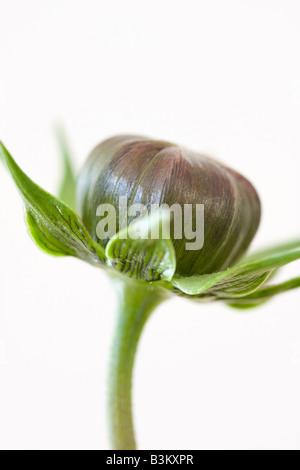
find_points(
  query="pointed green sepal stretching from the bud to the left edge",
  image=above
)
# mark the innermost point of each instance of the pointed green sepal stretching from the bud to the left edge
(52, 224)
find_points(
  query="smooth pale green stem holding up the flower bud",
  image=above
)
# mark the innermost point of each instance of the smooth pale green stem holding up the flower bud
(136, 301)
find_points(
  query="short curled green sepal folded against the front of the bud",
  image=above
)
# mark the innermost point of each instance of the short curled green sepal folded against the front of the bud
(143, 258)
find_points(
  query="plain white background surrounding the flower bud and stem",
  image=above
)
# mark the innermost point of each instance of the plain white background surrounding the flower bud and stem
(219, 77)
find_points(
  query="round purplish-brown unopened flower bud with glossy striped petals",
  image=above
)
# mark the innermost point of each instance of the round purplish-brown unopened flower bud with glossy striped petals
(214, 200)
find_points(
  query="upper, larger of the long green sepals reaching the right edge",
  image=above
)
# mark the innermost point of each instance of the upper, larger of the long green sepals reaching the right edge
(242, 279)
